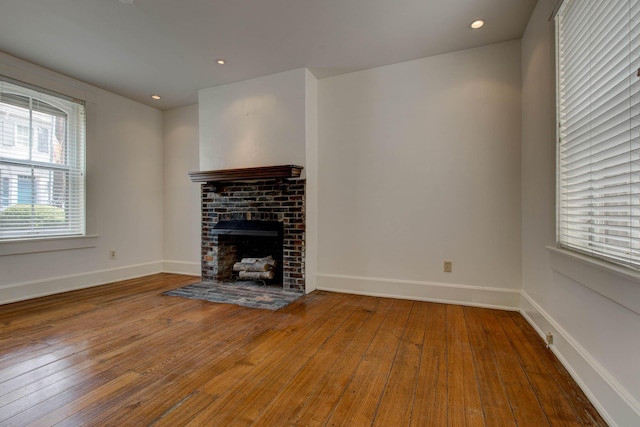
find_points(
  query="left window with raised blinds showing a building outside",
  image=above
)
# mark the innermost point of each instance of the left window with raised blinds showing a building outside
(41, 163)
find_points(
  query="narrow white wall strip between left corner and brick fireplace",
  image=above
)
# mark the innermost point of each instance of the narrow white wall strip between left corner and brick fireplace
(181, 207)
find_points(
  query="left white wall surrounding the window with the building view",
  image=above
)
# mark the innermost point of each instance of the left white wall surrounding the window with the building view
(124, 195)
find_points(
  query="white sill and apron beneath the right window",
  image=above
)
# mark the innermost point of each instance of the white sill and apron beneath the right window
(616, 283)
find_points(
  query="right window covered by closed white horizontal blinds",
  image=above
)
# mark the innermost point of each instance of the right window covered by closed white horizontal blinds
(598, 89)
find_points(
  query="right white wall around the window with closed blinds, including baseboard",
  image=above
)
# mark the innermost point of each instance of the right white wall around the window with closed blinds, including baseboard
(592, 311)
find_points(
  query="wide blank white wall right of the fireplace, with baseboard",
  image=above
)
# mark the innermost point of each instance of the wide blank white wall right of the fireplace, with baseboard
(419, 162)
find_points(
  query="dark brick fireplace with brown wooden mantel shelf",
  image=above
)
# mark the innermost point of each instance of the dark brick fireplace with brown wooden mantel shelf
(240, 195)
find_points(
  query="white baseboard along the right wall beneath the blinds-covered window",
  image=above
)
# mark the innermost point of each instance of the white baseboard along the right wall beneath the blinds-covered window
(604, 391)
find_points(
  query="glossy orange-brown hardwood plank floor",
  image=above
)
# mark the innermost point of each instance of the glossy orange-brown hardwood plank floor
(123, 354)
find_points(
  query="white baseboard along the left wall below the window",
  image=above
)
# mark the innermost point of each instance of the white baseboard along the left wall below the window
(39, 288)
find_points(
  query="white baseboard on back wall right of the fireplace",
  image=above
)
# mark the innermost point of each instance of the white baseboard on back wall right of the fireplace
(478, 296)
